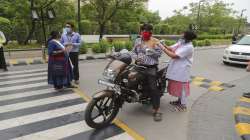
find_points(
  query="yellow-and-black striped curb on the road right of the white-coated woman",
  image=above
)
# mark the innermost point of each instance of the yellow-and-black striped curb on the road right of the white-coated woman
(211, 85)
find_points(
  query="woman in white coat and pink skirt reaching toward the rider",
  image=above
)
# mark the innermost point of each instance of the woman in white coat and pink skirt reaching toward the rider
(178, 72)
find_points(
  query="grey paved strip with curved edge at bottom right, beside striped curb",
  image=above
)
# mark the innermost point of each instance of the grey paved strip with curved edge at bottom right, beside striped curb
(211, 117)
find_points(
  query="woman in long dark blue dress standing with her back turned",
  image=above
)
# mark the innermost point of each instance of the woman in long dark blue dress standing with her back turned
(60, 72)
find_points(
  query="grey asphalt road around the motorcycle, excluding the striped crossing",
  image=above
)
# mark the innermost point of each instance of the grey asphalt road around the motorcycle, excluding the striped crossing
(178, 125)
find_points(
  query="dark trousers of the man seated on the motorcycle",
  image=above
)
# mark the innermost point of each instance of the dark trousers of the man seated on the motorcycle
(151, 87)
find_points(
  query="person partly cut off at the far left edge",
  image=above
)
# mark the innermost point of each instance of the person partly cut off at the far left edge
(2, 59)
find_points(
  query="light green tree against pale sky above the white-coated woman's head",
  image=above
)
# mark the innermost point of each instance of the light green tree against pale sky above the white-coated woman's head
(215, 16)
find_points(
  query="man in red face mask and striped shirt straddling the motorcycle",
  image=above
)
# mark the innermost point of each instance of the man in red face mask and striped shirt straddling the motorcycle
(146, 52)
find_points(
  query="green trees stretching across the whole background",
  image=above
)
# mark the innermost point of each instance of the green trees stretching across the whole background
(217, 18)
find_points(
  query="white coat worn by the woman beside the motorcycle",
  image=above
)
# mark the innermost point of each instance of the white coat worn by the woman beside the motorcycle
(180, 69)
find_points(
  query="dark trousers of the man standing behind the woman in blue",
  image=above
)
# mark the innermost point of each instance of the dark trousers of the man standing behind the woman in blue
(74, 57)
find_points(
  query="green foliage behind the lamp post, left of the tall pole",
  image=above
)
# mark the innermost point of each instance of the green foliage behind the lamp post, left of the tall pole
(20, 22)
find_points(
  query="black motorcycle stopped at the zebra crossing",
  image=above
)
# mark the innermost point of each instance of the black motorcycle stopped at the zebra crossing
(124, 82)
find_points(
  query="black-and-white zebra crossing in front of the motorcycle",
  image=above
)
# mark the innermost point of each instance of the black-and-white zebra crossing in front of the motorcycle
(30, 109)
